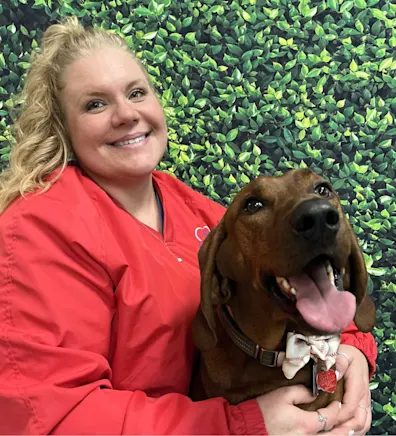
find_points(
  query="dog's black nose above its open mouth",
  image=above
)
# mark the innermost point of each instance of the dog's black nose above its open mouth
(316, 220)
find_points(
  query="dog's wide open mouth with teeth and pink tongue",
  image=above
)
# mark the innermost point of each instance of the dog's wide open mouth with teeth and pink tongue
(317, 294)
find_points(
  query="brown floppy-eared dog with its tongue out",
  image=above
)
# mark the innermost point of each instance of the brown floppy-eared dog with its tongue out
(266, 272)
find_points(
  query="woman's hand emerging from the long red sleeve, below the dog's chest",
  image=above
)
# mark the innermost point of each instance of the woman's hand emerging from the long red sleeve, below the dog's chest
(283, 417)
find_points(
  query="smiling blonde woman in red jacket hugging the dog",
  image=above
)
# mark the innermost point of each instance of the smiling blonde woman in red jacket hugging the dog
(99, 279)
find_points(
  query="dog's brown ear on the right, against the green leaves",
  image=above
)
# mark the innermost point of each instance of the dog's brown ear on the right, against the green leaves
(365, 309)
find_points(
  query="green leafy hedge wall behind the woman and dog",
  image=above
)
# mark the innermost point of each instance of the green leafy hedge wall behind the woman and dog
(257, 87)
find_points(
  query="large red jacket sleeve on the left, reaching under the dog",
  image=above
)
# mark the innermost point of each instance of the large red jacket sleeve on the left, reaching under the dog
(56, 309)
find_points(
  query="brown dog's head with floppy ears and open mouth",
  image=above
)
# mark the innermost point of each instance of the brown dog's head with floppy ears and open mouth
(284, 247)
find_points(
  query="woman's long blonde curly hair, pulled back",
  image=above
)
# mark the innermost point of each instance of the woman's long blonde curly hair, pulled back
(42, 142)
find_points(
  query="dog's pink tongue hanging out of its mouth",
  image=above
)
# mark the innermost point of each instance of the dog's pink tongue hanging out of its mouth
(320, 303)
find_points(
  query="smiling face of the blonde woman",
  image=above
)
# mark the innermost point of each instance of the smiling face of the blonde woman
(116, 123)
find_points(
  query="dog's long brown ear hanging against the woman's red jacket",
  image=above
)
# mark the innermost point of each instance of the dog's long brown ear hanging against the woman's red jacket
(214, 289)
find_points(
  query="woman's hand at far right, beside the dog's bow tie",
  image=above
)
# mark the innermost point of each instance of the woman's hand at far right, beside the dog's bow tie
(355, 414)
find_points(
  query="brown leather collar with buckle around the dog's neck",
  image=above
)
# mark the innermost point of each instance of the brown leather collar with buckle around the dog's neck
(265, 357)
